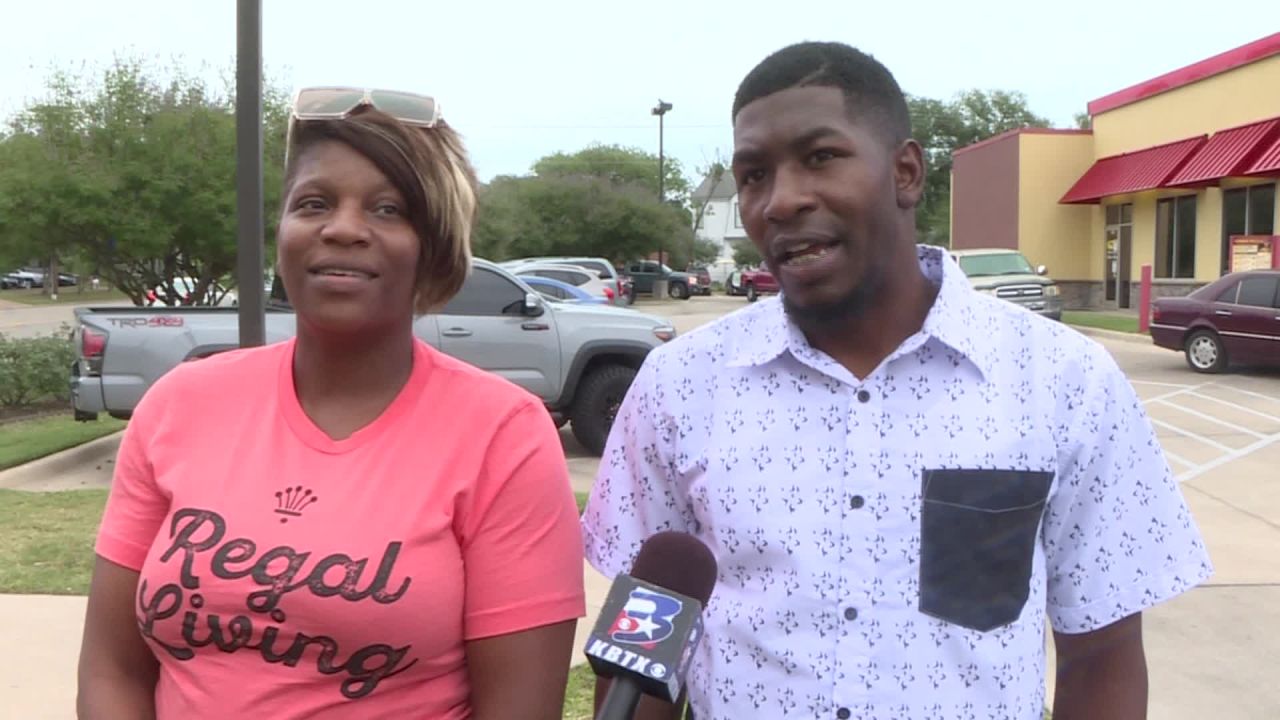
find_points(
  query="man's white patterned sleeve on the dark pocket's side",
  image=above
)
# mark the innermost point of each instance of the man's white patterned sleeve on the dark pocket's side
(1119, 536)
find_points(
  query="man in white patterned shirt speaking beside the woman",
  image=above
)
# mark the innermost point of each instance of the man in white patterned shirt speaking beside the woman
(902, 480)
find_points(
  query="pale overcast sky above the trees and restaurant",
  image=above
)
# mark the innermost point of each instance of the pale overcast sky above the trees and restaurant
(522, 80)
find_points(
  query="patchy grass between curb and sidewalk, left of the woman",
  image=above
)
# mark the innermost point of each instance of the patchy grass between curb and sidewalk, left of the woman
(47, 546)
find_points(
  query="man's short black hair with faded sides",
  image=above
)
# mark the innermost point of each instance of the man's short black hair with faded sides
(870, 89)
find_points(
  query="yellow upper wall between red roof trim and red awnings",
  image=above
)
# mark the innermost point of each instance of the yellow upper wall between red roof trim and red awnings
(1231, 99)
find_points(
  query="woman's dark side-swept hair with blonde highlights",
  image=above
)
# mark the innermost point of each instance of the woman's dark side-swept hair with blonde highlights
(431, 170)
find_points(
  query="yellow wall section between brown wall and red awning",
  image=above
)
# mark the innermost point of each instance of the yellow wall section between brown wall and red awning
(1050, 234)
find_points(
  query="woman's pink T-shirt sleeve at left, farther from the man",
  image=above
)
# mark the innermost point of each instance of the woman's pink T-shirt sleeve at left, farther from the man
(136, 507)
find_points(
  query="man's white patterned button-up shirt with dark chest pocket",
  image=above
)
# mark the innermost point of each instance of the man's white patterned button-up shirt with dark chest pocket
(892, 548)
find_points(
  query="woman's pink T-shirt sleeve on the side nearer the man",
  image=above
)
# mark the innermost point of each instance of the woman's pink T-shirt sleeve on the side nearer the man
(522, 550)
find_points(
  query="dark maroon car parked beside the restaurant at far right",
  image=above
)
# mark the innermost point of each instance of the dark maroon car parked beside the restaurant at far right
(1232, 321)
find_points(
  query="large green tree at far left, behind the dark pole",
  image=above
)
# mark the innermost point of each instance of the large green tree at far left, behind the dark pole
(136, 176)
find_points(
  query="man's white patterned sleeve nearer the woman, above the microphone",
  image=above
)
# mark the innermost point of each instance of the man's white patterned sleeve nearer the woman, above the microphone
(638, 491)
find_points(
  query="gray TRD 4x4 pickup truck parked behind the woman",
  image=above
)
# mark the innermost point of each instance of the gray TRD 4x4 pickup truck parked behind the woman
(579, 359)
